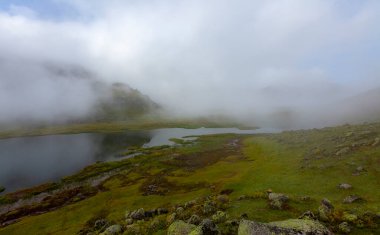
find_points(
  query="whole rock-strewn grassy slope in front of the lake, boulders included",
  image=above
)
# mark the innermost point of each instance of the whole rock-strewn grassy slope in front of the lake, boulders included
(327, 177)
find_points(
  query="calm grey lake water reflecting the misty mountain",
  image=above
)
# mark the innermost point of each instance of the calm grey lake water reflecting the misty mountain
(29, 161)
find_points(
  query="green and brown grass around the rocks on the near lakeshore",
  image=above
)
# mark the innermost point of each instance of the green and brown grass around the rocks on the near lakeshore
(307, 166)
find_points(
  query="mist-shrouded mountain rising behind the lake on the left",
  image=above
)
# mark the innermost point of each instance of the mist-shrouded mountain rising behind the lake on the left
(57, 93)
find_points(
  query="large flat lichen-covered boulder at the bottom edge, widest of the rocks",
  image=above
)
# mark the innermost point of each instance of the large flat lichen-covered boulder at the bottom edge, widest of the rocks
(286, 227)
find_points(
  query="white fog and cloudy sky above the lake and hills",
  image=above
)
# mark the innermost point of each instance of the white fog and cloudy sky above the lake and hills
(287, 63)
